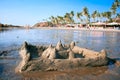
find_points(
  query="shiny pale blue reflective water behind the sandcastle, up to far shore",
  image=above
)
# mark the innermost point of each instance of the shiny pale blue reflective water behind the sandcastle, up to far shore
(95, 40)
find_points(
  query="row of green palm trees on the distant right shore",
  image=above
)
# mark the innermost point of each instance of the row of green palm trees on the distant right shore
(84, 17)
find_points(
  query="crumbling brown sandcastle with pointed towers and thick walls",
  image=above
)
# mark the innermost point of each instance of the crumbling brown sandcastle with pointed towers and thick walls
(59, 57)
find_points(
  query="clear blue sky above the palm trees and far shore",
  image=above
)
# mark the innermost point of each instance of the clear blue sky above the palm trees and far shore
(23, 12)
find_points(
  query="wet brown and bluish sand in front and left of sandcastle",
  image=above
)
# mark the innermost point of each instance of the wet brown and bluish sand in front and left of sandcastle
(9, 62)
